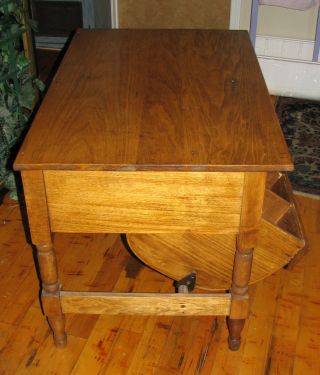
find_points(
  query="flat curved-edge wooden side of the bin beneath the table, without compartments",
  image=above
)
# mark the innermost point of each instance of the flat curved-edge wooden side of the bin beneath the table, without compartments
(212, 256)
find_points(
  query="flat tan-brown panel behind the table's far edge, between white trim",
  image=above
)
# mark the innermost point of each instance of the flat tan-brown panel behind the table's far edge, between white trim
(176, 14)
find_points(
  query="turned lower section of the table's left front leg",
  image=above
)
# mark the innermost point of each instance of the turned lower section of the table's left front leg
(50, 293)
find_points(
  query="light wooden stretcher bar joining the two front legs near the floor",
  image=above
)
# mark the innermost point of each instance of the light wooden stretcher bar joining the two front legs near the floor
(145, 303)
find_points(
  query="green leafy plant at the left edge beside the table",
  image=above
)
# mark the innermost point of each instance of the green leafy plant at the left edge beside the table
(18, 85)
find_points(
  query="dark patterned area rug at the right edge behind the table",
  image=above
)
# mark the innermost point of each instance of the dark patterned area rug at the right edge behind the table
(300, 121)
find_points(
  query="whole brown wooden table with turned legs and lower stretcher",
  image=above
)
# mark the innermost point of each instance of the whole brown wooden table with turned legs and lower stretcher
(152, 132)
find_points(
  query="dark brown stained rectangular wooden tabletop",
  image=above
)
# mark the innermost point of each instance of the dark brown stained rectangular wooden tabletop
(192, 100)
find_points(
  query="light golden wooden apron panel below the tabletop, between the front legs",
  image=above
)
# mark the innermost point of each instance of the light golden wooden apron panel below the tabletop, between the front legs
(144, 202)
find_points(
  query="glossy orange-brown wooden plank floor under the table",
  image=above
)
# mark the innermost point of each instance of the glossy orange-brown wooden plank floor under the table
(282, 335)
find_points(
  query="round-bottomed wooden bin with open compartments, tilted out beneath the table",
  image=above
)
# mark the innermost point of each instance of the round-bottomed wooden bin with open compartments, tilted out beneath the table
(212, 256)
